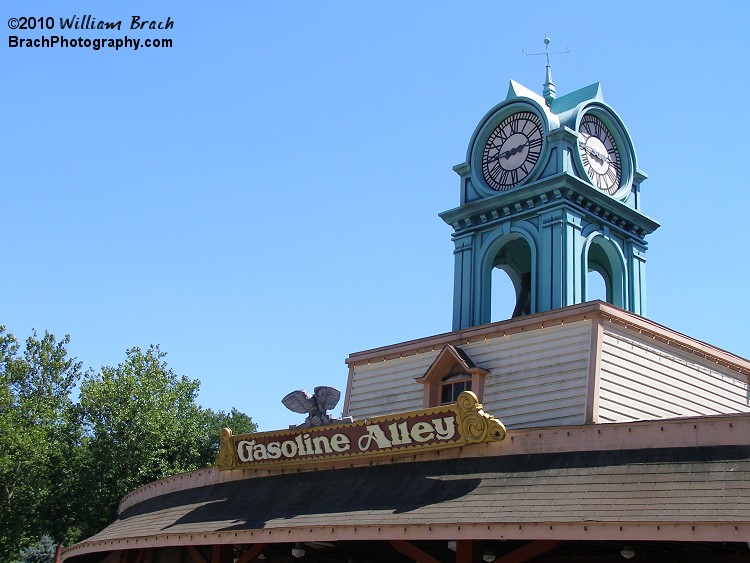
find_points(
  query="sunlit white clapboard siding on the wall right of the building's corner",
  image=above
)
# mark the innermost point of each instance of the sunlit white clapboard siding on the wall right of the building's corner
(643, 379)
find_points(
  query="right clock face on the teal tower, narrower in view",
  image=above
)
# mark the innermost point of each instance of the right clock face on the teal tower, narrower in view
(599, 154)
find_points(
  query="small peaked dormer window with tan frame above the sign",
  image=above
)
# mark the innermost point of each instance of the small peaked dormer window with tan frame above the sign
(451, 373)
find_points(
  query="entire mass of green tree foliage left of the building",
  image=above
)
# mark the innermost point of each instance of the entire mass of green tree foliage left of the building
(64, 465)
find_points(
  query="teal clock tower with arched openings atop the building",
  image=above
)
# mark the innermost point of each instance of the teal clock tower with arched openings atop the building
(550, 190)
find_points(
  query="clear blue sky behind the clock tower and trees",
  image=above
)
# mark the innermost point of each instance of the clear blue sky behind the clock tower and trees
(261, 199)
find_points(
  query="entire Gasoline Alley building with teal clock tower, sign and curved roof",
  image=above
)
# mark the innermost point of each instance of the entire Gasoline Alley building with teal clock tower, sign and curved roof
(576, 430)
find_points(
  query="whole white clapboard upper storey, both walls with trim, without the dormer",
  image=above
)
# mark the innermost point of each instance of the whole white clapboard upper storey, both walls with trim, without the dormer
(540, 371)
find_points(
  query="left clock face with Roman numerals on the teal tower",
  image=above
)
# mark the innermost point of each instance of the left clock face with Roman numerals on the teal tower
(512, 150)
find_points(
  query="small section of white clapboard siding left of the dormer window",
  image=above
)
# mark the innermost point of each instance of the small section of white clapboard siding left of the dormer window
(387, 387)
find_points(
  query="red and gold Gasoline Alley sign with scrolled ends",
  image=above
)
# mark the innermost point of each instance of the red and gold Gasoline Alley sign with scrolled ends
(441, 427)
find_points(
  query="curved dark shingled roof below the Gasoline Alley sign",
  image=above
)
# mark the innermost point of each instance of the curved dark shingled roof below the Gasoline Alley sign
(705, 484)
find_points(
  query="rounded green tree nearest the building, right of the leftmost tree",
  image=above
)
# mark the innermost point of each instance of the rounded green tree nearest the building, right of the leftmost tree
(143, 424)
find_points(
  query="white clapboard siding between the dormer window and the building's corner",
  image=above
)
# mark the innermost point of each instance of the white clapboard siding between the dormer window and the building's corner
(537, 378)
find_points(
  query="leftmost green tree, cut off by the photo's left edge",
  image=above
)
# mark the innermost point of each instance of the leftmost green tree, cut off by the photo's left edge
(39, 441)
